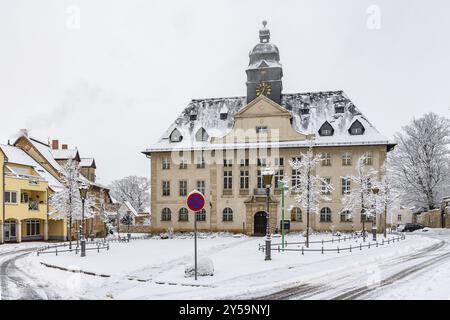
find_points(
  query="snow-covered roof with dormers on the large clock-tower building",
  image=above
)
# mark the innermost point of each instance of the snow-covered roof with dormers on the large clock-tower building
(309, 112)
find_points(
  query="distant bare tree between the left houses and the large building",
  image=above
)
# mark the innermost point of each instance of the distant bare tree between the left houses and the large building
(133, 189)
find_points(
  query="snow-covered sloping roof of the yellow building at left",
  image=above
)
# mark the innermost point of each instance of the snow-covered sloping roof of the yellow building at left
(18, 156)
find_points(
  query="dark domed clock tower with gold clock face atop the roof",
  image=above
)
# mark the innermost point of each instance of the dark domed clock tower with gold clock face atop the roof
(264, 71)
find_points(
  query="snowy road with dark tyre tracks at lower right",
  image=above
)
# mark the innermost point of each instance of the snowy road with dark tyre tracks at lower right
(354, 283)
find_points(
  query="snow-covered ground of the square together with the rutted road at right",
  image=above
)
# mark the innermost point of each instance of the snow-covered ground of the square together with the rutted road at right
(154, 269)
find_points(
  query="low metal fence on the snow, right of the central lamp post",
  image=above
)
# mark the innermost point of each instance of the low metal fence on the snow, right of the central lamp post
(338, 250)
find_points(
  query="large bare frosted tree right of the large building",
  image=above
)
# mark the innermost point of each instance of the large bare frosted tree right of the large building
(420, 162)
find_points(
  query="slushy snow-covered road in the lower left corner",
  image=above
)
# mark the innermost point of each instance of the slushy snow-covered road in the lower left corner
(16, 284)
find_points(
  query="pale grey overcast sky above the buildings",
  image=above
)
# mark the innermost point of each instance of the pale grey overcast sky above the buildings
(112, 86)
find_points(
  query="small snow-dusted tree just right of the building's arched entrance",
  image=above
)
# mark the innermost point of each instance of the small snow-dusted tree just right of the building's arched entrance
(309, 188)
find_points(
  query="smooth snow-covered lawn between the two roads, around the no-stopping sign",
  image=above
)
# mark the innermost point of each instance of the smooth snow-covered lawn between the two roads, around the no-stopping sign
(155, 268)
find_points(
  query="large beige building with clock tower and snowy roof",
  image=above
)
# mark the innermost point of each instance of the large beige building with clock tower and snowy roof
(221, 146)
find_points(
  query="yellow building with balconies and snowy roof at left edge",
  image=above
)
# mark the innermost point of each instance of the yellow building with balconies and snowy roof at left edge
(26, 187)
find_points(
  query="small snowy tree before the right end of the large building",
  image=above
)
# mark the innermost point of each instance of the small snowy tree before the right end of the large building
(358, 193)
